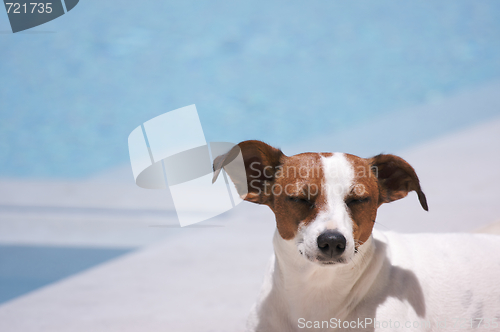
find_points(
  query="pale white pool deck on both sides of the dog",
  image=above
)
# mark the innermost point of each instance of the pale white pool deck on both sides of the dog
(206, 277)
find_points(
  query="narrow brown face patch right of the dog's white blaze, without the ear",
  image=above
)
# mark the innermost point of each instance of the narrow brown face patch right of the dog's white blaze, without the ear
(363, 201)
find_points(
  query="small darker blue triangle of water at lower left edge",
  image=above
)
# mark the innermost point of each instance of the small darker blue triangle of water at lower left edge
(26, 268)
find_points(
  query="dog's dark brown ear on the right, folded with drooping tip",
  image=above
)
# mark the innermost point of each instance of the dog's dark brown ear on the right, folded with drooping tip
(396, 178)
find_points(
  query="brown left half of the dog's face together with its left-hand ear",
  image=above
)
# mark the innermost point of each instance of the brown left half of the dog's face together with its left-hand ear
(290, 186)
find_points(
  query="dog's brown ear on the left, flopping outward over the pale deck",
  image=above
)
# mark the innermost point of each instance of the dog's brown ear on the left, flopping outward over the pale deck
(260, 161)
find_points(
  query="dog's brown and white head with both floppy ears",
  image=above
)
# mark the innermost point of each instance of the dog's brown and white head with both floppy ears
(325, 202)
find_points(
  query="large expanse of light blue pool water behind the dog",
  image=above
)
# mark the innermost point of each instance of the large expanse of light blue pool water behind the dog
(282, 71)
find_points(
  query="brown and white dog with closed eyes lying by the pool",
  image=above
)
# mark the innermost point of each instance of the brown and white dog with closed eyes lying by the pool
(332, 271)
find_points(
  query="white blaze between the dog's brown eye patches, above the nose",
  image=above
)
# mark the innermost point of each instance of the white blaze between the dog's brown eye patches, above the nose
(338, 181)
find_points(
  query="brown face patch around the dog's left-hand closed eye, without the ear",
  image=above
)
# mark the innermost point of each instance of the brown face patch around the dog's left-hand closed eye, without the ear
(297, 193)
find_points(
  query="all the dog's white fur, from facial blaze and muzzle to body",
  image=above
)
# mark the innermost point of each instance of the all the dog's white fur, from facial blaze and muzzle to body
(449, 281)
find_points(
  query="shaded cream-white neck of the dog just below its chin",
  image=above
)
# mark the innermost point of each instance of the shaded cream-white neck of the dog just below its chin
(298, 279)
